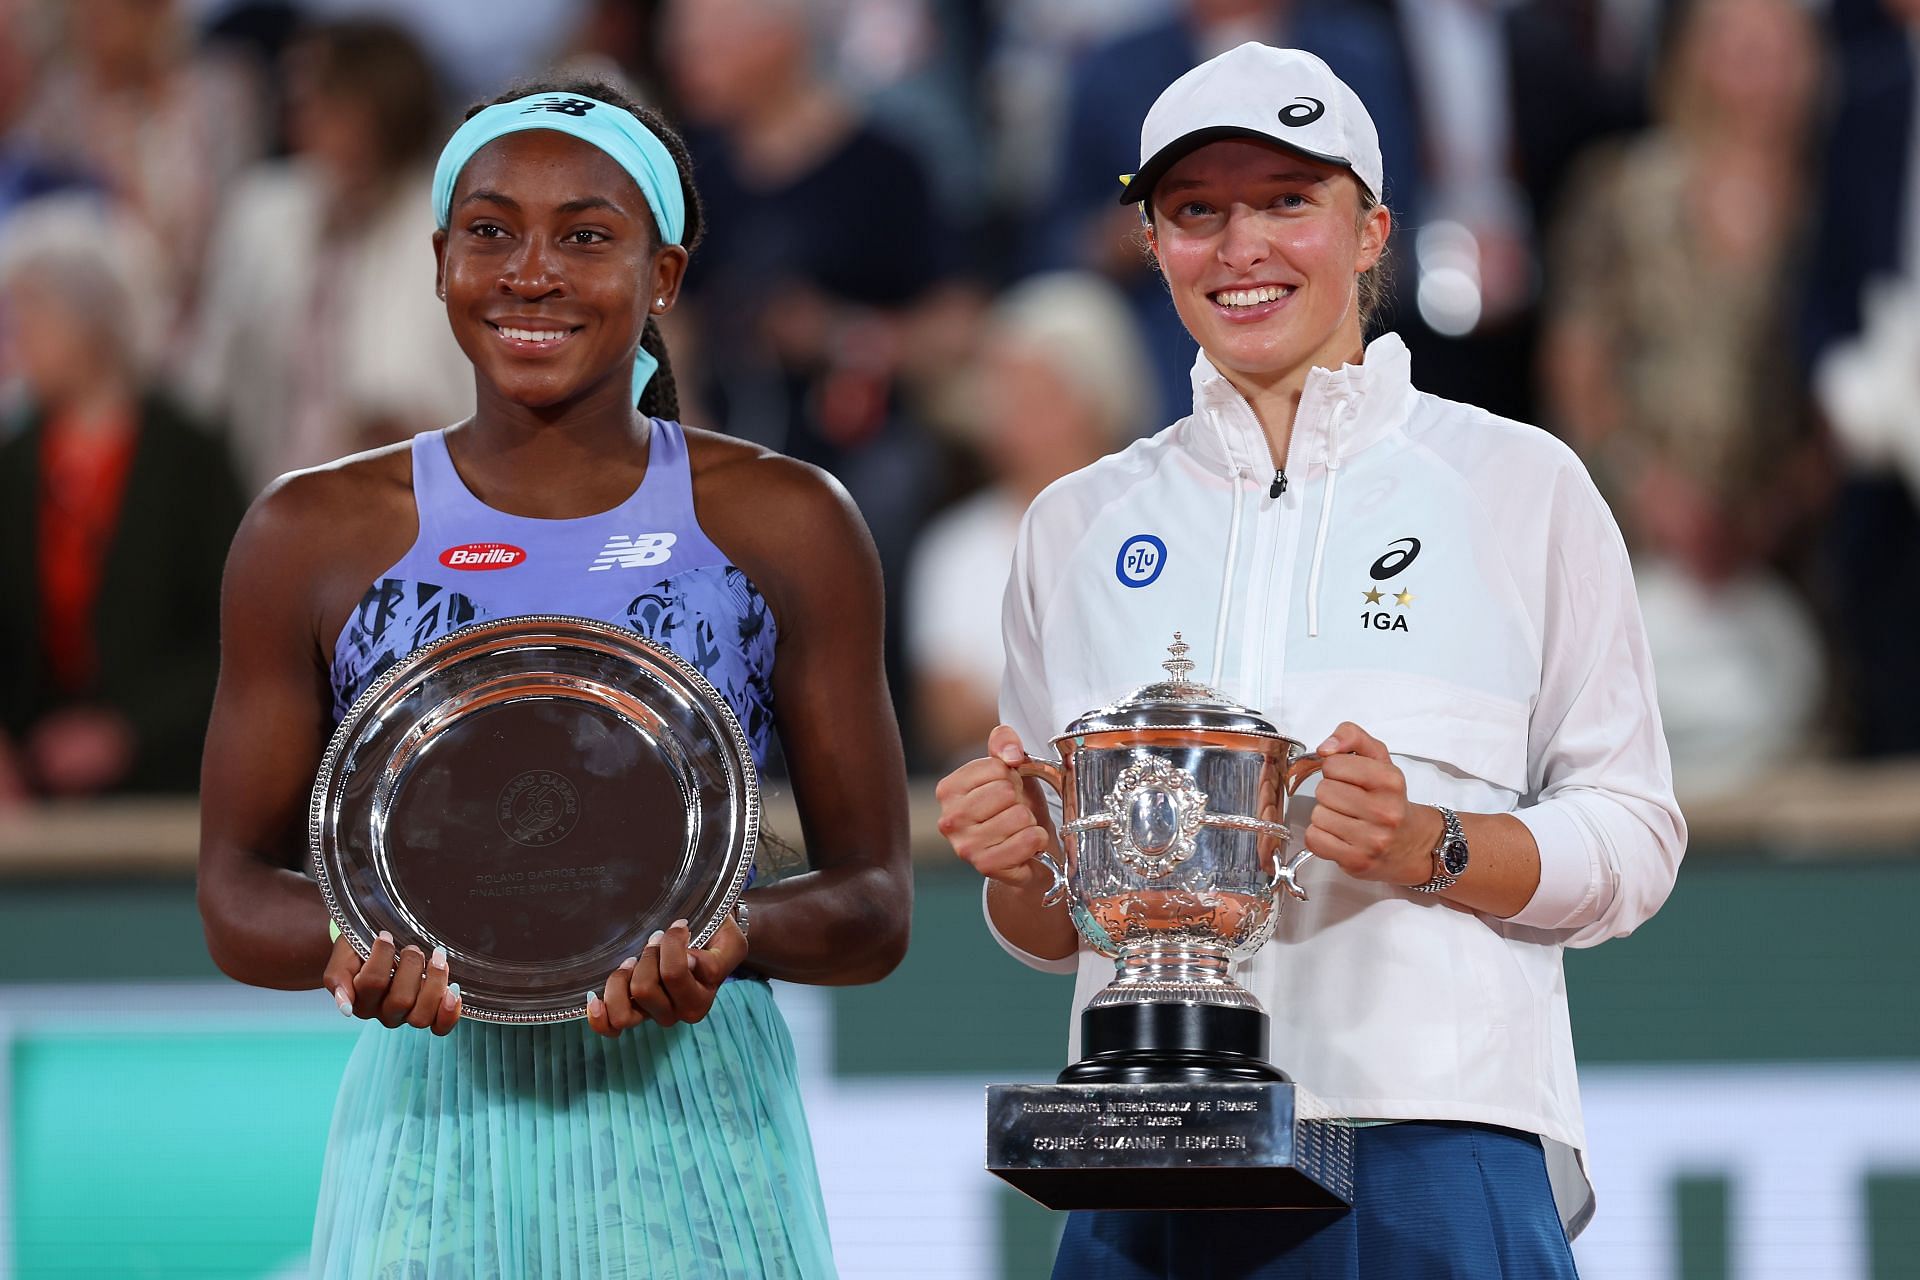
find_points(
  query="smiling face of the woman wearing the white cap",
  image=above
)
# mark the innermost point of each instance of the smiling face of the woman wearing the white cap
(1262, 252)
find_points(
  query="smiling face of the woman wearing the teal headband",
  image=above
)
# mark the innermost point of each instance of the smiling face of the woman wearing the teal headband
(550, 270)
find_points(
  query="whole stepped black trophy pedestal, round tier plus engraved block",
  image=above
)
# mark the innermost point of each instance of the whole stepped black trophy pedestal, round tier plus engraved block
(1172, 1108)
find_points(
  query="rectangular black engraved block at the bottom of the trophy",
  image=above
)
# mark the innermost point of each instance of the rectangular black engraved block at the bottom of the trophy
(1170, 1147)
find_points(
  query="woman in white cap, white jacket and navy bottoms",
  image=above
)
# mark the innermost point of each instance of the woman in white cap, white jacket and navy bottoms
(1437, 594)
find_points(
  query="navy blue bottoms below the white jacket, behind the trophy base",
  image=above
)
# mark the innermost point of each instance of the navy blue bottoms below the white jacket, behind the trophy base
(1431, 1202)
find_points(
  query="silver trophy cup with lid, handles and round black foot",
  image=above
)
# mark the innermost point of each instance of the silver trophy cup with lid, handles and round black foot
(1176, 843)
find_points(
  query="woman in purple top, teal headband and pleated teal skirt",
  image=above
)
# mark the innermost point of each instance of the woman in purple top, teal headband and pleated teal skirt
(663, 1133)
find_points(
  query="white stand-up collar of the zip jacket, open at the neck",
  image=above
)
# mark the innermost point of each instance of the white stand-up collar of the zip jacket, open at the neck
(1368, 400)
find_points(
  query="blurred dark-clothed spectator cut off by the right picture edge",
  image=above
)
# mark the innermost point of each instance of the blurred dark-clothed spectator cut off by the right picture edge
(1865, 339)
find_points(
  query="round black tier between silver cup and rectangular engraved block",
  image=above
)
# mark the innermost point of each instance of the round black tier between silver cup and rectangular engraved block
(1166, 1043)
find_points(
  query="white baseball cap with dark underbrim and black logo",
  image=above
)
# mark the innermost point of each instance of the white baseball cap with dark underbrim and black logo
(1274, 95)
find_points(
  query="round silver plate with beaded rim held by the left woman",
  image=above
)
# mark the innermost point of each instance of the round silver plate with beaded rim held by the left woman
(537, 795)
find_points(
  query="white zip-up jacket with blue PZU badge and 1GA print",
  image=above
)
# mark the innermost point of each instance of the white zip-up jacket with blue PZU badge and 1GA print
(1447, 581)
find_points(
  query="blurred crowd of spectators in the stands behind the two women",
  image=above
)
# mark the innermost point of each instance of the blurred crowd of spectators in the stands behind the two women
(1683, 235)
